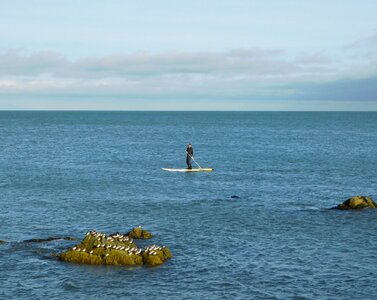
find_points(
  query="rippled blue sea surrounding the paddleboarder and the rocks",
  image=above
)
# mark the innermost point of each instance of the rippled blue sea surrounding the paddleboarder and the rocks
(64, 173)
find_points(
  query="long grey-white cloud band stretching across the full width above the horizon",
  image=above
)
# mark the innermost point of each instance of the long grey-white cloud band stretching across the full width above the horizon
(237, 74)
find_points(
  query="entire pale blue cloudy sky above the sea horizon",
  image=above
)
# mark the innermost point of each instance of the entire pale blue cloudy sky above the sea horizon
(188, 55)
